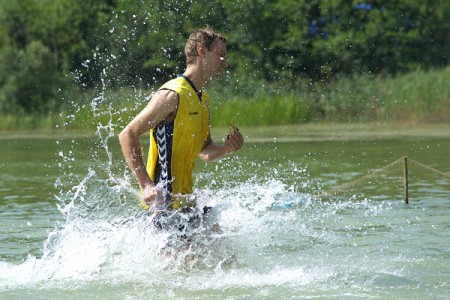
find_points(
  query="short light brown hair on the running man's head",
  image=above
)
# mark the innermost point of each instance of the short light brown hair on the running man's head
(205, 37)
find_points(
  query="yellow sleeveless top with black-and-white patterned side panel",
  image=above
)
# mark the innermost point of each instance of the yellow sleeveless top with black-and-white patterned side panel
(175, 146)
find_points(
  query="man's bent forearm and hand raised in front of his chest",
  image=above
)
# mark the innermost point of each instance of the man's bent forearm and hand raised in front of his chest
(212, 151)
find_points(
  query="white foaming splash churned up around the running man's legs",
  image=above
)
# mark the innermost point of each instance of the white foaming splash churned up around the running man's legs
(268, 237)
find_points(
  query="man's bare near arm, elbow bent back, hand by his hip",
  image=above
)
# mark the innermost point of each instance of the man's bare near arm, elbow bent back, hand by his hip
(163, 104)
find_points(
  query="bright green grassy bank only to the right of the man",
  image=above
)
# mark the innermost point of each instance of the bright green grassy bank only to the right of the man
(419, 97)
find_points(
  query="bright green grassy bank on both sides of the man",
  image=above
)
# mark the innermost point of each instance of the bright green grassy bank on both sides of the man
(414, 98)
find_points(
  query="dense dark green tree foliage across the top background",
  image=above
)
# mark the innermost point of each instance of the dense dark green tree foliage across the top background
(50, 46)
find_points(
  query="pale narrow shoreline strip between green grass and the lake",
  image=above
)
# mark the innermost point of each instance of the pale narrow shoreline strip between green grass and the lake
(283, 133)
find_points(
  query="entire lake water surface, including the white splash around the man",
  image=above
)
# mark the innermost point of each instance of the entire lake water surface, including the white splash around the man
(71, 227)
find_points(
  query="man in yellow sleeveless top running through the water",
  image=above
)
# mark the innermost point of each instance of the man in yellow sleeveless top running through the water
(178, 119)
